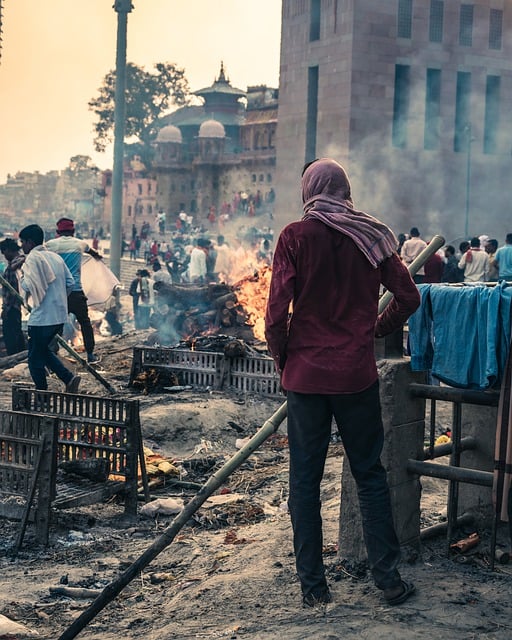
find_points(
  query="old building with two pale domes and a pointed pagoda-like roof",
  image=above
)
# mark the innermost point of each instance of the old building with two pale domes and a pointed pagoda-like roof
(206, 156)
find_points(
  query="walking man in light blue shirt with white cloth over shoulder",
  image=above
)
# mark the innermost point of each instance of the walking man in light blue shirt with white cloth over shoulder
(48, 281)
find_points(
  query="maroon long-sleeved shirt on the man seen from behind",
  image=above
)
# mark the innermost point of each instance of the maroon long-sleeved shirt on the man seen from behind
(327, 346)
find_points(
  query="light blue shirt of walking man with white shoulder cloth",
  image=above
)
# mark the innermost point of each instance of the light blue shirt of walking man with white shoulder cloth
(53, 308)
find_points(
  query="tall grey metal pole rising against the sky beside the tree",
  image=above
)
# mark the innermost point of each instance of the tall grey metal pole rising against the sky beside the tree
(123, 7)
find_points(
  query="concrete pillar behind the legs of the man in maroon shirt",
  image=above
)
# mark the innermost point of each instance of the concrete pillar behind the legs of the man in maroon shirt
(404, 422)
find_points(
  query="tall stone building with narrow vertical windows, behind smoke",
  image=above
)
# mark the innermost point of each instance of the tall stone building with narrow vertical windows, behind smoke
(413, 97)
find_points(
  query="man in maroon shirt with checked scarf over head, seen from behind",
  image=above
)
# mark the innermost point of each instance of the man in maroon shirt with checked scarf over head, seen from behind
(330, 266)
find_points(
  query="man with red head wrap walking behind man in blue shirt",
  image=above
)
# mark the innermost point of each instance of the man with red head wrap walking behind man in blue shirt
(71, 250)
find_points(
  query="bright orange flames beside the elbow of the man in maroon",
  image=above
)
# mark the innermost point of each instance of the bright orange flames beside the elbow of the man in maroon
(252, 293)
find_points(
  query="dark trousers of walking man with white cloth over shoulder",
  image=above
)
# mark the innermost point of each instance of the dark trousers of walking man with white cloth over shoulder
(41, 356)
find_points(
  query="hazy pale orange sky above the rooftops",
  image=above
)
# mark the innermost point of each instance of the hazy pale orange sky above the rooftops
(56, 52)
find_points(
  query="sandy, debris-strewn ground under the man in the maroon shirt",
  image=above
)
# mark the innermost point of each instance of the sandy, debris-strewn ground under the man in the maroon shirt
(230, 571)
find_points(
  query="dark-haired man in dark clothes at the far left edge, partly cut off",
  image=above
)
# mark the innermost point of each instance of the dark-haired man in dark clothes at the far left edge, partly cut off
(14, 339)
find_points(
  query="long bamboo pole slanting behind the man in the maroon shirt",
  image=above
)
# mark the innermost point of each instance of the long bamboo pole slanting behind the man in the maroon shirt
(113, 589)
